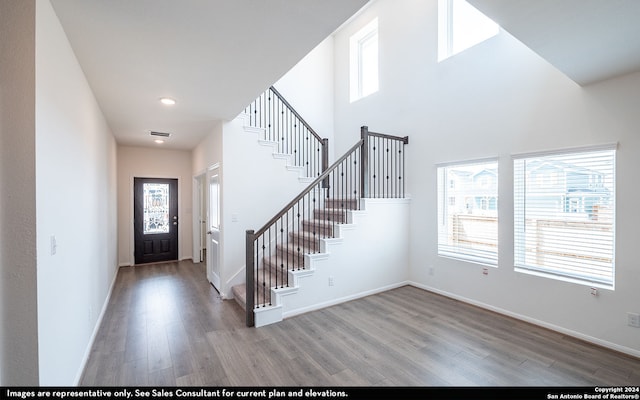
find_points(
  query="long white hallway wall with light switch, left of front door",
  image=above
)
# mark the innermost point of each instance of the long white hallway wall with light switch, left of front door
(76, 204)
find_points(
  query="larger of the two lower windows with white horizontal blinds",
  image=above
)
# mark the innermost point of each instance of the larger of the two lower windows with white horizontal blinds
(564, 208)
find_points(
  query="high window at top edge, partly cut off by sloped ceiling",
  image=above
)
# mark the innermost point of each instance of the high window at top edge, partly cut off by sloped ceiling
(461, 26)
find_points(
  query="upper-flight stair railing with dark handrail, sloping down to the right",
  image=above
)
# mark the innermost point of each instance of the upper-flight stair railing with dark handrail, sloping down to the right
(283, 125)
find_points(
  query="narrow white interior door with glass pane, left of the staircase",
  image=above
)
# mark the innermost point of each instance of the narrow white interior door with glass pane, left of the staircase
(213, 232)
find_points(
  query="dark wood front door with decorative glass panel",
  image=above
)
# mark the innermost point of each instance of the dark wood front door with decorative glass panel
(155, 215)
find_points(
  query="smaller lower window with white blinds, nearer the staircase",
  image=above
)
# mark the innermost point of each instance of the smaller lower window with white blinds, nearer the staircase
(468, 211)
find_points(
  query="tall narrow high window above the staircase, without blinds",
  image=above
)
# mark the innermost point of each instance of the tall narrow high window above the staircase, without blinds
(363, 48)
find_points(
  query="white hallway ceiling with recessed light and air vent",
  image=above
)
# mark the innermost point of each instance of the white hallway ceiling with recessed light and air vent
(212, 56)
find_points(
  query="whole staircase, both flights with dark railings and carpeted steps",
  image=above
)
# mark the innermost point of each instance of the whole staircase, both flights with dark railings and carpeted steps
(284, 250)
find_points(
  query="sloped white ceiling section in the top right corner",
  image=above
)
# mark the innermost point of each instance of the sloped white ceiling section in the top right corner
(588, 40)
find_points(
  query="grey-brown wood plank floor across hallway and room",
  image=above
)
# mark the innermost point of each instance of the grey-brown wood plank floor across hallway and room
(166, 326)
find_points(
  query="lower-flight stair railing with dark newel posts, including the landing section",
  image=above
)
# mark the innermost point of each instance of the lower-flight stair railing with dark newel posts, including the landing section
(373, 167)
